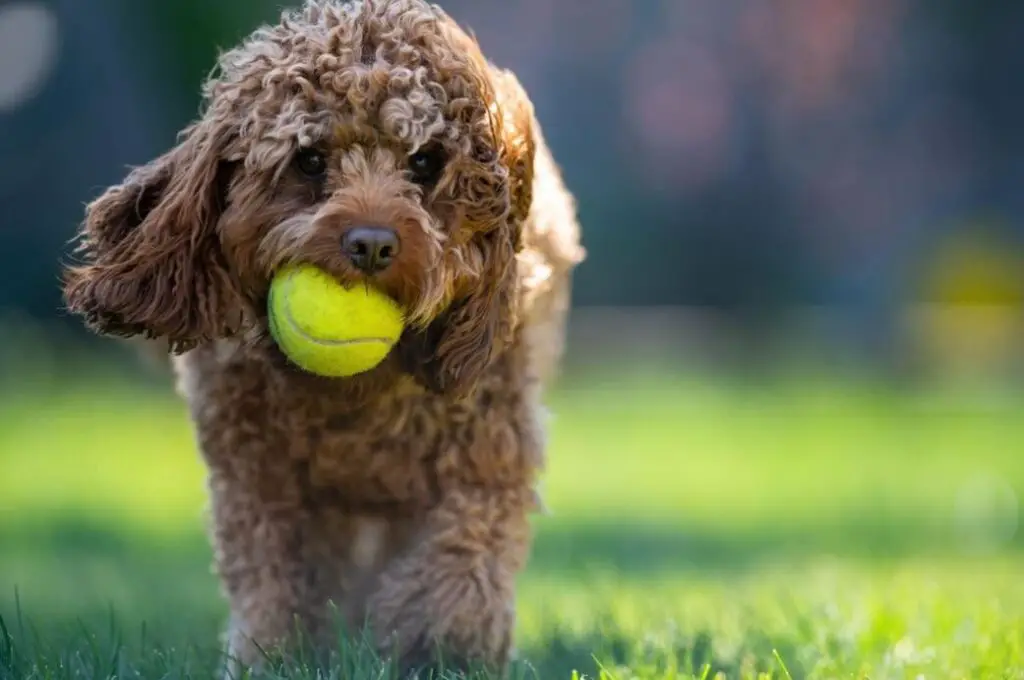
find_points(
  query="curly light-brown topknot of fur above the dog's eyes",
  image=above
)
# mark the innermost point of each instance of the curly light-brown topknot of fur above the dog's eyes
(385, 73)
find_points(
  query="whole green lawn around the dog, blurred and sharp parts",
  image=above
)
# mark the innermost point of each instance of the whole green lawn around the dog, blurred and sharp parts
(804, 529)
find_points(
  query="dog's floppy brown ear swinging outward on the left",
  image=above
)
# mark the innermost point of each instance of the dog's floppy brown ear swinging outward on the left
(153, 264)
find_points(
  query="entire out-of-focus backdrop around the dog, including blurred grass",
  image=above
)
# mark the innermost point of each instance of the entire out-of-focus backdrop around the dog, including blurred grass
(805, 233)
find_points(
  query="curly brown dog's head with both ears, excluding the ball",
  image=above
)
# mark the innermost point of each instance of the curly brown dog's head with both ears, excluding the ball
(370, 139)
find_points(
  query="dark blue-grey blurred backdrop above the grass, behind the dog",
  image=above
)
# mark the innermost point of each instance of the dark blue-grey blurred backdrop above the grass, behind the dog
(848, 172)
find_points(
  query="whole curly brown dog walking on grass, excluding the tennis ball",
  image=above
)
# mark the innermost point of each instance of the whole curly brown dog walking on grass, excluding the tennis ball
(400, 498)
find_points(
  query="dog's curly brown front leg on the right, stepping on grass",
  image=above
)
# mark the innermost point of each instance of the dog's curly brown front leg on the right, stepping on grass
(451, 601)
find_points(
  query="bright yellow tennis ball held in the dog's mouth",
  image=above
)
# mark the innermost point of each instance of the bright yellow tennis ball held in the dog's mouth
(330, 330)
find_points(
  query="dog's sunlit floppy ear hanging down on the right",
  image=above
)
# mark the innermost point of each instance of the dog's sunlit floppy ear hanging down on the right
(478, 327)
